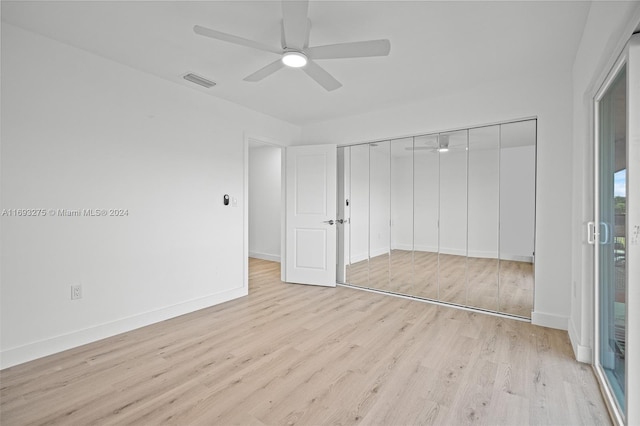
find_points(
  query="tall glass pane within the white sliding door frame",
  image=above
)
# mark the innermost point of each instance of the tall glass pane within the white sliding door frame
(612, 244)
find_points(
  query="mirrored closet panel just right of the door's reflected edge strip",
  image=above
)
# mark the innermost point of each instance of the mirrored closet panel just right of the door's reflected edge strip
(358, 265)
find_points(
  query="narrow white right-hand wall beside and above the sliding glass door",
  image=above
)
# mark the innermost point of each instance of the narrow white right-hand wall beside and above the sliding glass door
(609, 25)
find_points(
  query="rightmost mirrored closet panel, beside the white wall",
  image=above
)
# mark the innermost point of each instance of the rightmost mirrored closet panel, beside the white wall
(517, 217)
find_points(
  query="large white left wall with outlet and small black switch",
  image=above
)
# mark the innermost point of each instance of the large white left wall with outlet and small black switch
(82, 132)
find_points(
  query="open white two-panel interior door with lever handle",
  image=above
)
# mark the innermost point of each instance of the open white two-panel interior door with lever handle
(311, 214)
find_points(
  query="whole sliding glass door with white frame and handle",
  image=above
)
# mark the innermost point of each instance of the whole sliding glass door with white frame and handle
(615, 235)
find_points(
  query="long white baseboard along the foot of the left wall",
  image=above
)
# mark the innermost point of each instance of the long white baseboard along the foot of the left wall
(42, 348)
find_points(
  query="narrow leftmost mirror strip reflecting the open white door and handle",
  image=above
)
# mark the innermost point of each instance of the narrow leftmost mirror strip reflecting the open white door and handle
(342, 229)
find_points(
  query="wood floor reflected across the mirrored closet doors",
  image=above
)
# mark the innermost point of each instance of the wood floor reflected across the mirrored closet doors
(501, 286)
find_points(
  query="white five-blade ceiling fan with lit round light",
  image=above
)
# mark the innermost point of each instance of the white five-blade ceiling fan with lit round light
(295, 51)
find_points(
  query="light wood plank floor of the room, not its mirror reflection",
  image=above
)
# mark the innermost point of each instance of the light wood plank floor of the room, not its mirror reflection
(295, 354)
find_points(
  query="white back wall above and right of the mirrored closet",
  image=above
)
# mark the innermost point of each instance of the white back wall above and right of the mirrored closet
(546, 96)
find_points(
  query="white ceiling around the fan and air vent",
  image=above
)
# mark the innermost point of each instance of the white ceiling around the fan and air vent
(436, 47)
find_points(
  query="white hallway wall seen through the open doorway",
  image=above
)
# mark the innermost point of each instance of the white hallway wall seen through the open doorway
(265, 174)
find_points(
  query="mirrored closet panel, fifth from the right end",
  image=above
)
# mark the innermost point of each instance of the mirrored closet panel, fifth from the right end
(401, 264)
